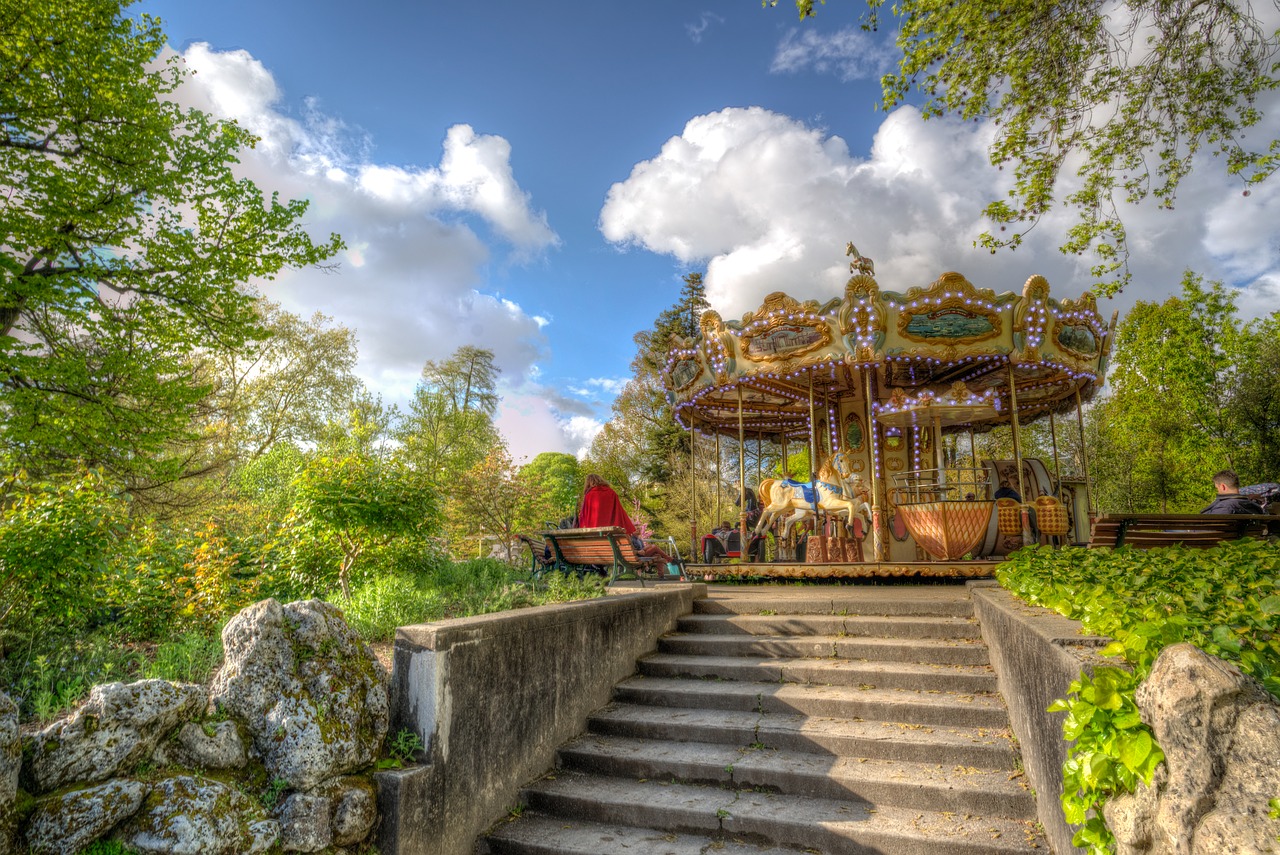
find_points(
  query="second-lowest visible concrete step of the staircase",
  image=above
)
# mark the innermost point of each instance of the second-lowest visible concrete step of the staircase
(834, 827)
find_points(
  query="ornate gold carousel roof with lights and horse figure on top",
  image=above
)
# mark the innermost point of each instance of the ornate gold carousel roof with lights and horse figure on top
(947, 353)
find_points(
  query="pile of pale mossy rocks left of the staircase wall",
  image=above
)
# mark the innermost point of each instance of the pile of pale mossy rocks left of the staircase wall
(277, 753)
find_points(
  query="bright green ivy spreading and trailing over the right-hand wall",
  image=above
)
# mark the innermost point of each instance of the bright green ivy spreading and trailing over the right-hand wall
(1224, 601)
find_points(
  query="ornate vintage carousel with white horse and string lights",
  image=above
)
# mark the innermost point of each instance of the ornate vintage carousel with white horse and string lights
(884, 388)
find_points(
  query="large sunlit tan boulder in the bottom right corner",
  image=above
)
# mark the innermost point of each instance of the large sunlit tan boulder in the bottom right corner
(1220, 733)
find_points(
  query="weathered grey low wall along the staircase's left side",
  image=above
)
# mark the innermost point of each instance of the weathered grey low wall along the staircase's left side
(493, 698)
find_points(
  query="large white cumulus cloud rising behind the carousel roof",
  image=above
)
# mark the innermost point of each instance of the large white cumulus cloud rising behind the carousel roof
(767, 203)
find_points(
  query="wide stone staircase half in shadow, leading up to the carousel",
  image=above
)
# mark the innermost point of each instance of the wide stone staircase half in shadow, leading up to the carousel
(848, 720)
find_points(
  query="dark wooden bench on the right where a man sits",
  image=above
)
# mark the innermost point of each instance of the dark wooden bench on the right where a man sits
(1196, 531)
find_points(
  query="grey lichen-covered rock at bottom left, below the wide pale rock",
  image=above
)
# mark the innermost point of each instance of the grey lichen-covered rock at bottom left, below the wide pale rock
(66, 824)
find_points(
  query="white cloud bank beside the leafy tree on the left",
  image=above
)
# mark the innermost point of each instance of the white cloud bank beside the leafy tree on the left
(410, 282)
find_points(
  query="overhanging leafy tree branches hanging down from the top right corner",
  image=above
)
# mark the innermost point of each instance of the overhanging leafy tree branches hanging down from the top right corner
(1101, 104)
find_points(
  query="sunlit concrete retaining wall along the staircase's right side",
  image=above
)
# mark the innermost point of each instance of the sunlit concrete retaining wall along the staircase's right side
(1036, 653)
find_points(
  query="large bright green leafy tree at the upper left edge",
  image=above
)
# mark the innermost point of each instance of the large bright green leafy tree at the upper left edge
(126, 244)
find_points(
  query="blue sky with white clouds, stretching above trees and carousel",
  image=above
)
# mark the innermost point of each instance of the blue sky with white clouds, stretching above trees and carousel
(537, 179)
